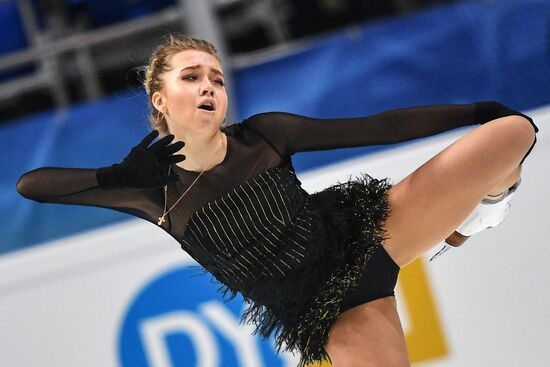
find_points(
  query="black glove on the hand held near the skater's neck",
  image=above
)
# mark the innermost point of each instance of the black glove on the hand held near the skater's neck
(145, 167)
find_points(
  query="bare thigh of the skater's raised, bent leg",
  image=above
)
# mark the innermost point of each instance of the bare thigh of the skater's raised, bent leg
(431, 202)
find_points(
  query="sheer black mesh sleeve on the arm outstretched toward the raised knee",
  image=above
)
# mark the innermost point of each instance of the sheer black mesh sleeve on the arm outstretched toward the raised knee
(290, 133)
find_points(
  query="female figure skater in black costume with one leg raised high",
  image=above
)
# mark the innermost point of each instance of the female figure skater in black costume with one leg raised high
(318, 270)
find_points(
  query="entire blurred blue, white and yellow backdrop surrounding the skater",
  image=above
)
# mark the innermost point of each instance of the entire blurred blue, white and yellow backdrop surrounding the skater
(104, 284)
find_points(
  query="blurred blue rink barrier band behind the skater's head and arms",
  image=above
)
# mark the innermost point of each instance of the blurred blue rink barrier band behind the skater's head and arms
(454, 54)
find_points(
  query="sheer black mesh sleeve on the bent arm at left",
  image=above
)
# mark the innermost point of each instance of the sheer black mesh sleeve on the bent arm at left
(79, 186)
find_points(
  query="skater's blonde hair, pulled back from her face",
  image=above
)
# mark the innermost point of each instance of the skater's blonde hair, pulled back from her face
(159, 64)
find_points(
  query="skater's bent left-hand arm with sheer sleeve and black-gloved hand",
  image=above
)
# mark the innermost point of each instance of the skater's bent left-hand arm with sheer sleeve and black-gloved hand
(120, 186)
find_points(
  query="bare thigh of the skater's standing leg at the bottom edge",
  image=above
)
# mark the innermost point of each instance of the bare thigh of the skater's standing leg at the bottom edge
(368, 335)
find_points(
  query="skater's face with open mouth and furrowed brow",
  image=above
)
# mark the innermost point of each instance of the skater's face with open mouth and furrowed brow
(193, 96)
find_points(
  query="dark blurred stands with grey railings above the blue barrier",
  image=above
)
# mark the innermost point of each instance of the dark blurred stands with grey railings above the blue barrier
(57, 53)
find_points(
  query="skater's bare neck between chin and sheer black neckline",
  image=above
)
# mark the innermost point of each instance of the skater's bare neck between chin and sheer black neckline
(202, 152)
